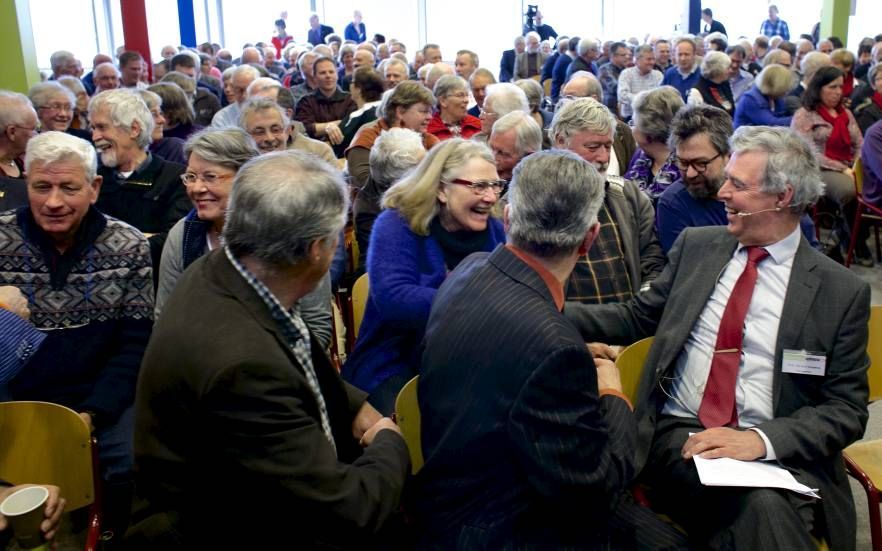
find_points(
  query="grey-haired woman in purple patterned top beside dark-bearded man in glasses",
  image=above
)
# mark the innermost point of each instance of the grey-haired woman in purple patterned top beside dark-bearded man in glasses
(653, 168)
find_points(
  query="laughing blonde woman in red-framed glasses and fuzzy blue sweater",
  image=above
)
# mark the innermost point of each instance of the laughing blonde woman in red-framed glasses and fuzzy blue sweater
(435, 216)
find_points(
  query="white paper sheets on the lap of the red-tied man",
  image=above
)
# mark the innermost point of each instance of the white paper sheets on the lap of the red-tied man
(752, 474)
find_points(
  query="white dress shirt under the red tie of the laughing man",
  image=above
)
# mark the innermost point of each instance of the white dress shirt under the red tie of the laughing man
(753, 387)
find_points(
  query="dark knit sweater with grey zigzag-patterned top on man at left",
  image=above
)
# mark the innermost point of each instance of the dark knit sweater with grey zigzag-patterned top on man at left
(95, 304)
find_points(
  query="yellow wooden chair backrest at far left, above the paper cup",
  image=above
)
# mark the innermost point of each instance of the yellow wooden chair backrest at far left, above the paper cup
(47, 443)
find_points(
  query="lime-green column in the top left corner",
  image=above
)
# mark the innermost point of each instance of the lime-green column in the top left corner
(20, 69)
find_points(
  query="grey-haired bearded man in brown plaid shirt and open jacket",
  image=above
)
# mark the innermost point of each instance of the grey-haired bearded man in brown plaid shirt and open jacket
(627, 256)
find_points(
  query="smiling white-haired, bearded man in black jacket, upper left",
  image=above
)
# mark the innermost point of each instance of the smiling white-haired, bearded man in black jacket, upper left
(139, 188)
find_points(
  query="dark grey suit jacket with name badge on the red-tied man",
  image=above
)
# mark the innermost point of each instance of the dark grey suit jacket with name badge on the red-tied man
(826, 309)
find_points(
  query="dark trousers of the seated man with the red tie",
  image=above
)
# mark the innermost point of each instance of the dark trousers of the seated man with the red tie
(719, 517)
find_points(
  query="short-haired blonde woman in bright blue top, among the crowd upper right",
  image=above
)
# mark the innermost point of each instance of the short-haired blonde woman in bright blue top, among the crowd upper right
(763, 103)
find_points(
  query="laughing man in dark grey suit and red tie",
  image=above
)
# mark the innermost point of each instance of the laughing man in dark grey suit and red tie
(792, 388)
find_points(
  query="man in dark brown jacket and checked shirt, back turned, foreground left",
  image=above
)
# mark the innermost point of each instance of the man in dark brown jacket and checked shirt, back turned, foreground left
(263, 403)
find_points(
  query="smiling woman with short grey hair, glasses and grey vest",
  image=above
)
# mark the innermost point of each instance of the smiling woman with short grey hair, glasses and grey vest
(213, 158)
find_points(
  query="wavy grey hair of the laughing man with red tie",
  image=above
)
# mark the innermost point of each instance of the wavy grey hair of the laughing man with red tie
(791, 161)
